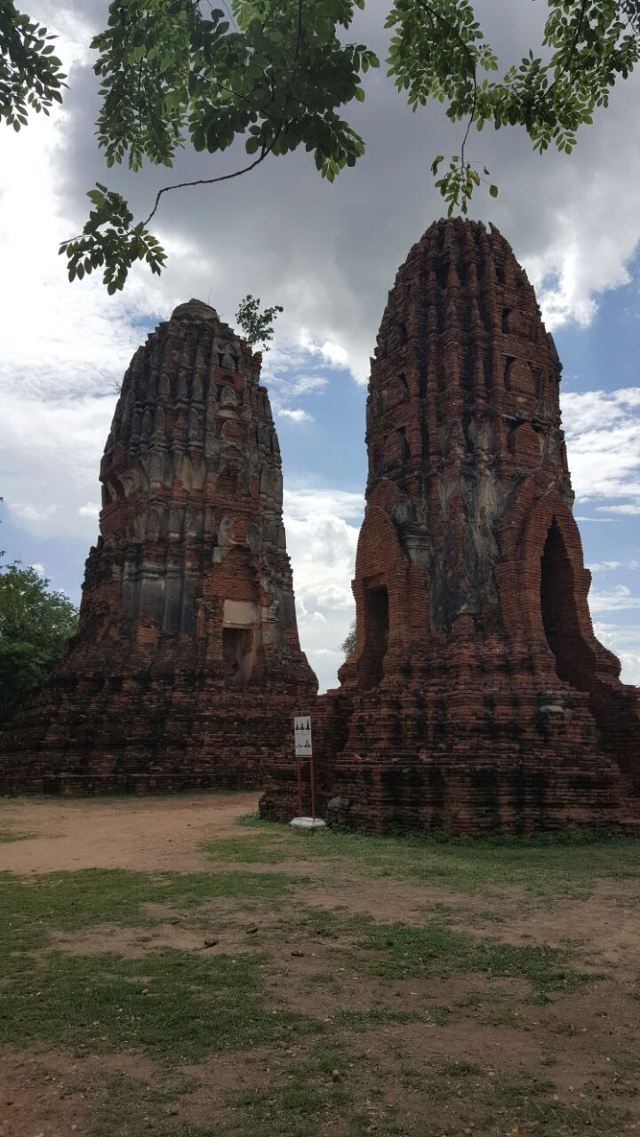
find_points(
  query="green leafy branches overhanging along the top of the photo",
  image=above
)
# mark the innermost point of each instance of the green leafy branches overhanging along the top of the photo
(277, 76)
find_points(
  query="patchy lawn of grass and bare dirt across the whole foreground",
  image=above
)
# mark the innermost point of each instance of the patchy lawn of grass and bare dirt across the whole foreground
(325, 984)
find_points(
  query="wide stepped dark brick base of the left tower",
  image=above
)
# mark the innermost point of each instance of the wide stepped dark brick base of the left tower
(146, 744)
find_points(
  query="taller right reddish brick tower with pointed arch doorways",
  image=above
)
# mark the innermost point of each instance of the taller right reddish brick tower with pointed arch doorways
(478, 698)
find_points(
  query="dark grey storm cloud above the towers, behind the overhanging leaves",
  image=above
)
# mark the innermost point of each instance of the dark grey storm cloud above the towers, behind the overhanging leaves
(330, 253)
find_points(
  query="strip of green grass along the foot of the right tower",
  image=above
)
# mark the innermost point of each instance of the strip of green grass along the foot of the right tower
(566, 866)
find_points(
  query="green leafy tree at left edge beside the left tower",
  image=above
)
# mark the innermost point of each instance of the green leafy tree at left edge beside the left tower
(35, 626)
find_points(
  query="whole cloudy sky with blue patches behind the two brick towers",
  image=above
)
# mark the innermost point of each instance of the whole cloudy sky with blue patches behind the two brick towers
(328, 254)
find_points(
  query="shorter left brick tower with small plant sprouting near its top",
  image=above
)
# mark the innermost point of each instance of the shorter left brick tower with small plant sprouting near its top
(187, 668)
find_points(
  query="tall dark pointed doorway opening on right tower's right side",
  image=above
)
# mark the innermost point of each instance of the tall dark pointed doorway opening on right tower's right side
(575, 660)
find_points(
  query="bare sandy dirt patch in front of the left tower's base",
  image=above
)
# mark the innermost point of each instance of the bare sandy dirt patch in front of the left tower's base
(144, 834)
